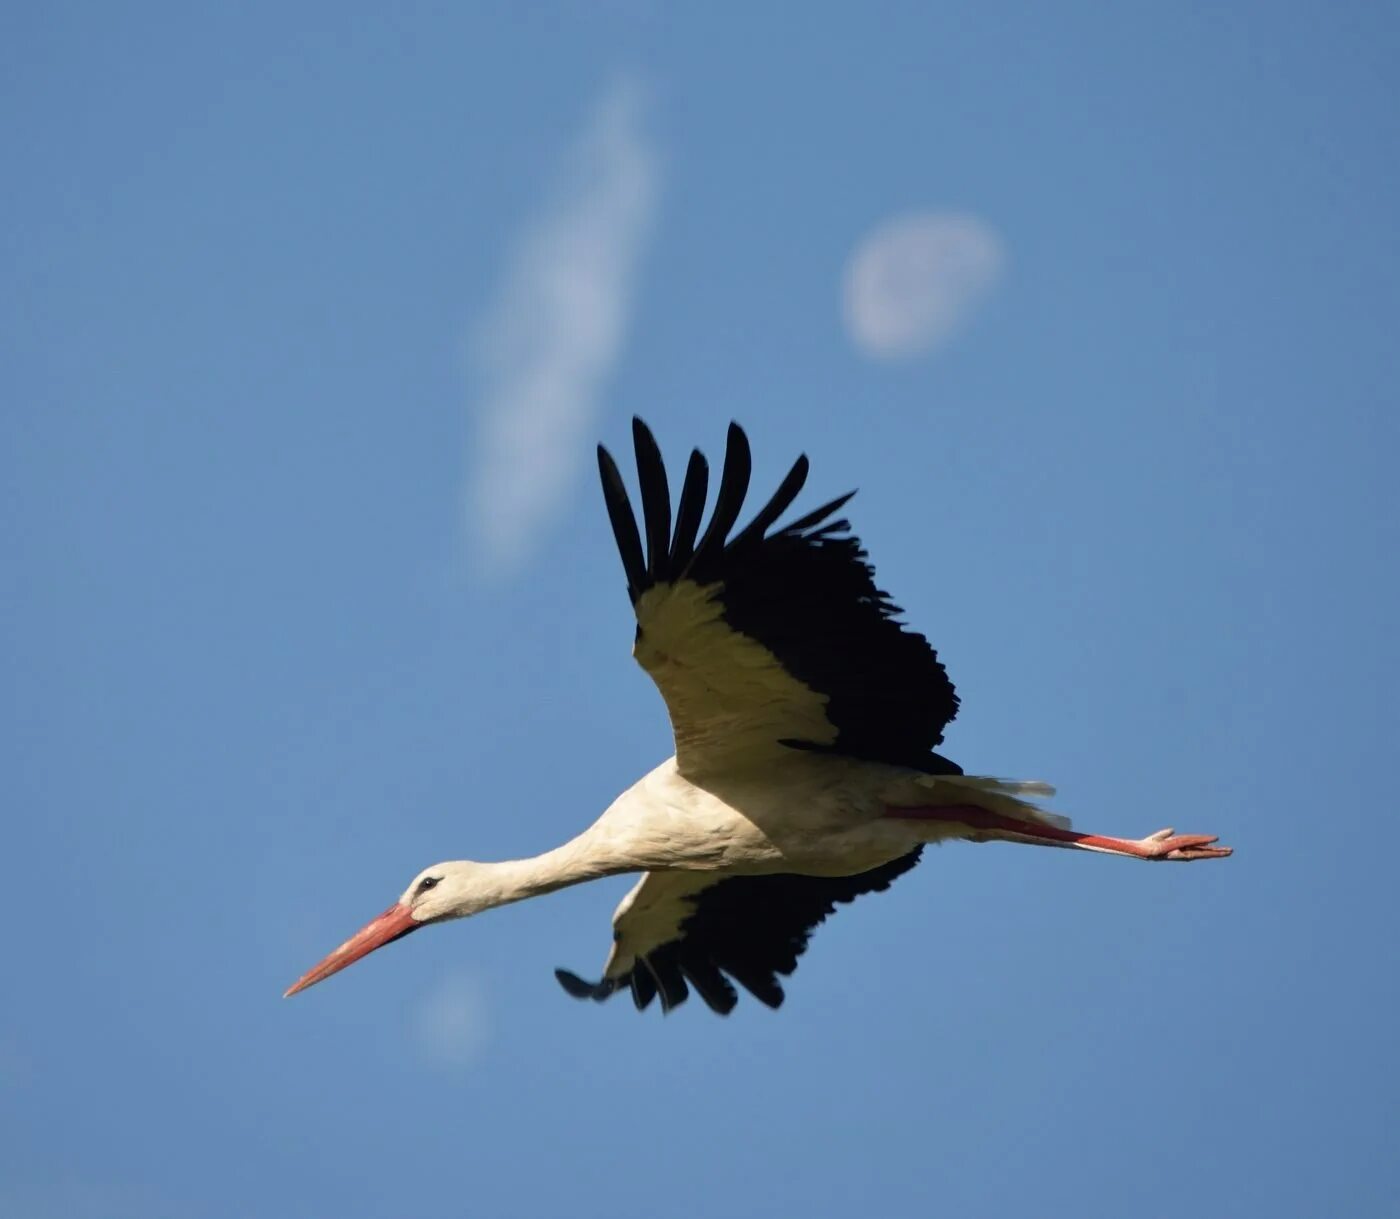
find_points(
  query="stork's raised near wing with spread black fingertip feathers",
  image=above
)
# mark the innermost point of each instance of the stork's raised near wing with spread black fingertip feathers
(765, 640)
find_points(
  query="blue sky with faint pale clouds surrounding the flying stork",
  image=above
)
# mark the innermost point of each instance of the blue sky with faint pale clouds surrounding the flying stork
(293, 292)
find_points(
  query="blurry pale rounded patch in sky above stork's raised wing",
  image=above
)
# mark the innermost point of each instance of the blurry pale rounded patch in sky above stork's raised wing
(912, 282)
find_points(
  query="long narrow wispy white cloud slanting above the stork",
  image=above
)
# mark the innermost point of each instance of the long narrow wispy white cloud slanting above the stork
(545, 348)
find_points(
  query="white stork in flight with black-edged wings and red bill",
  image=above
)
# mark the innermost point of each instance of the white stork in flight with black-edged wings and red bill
(806, 719)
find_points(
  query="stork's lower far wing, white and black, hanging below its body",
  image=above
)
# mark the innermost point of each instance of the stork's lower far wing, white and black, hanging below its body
(702, 930)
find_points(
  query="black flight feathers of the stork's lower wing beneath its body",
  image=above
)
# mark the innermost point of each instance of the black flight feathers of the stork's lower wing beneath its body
(747, 929)
